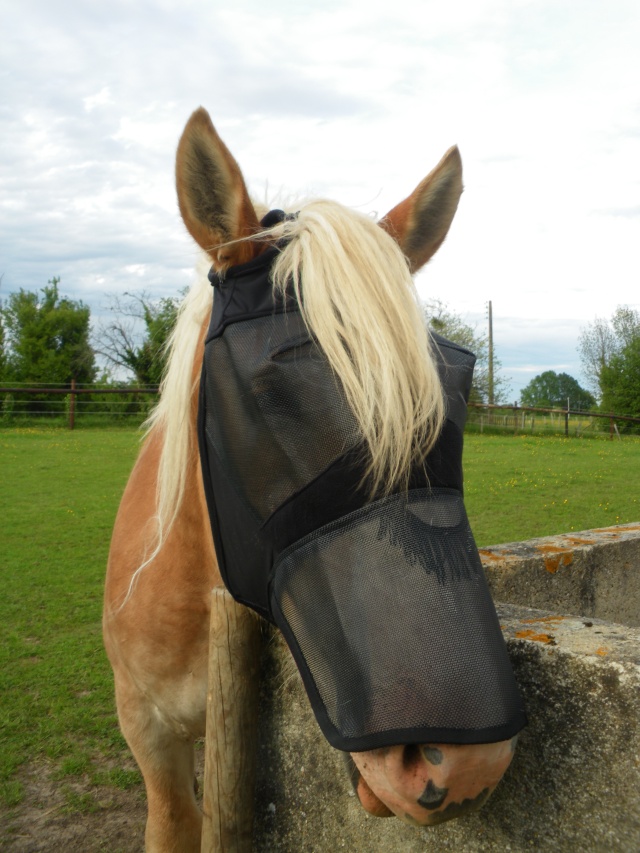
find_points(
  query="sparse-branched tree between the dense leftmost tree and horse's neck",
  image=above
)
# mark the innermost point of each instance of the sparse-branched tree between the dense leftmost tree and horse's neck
(144, 353)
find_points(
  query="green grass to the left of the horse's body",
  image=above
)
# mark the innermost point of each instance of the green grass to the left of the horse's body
(57, 504)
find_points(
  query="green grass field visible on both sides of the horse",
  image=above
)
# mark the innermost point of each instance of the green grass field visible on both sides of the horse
(59, 495)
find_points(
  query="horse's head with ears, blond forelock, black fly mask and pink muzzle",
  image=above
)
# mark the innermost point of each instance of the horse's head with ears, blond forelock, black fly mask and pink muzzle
(326, 413)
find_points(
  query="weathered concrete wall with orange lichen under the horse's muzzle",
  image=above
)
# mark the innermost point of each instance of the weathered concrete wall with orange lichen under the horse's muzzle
(574, 784)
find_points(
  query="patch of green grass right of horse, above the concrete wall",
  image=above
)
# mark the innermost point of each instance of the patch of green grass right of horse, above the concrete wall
(518, 487)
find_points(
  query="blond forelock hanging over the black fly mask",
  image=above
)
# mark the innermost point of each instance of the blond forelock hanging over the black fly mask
(359, 302)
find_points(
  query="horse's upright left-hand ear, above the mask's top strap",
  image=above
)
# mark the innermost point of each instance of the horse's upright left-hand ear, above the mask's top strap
(212, 195)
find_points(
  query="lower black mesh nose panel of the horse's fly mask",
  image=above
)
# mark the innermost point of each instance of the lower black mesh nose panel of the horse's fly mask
(392, 625)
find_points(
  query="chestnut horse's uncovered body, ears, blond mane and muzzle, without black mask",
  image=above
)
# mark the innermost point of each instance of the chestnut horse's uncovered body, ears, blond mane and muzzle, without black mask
(162, 564)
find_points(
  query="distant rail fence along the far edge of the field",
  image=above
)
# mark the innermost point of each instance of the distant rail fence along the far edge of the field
(101, 403)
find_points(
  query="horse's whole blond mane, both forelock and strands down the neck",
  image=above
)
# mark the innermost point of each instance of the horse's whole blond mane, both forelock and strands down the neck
(358, 300)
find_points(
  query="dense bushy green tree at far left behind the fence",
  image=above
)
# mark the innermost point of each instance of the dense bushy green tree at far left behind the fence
(46, 338)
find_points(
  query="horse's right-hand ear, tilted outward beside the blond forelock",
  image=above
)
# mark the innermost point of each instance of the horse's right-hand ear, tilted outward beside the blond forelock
(420, 223)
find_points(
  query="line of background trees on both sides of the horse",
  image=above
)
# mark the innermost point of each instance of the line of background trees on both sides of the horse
(46, 337)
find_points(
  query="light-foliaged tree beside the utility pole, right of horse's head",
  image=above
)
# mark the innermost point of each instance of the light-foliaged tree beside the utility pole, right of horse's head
(451, 325)
